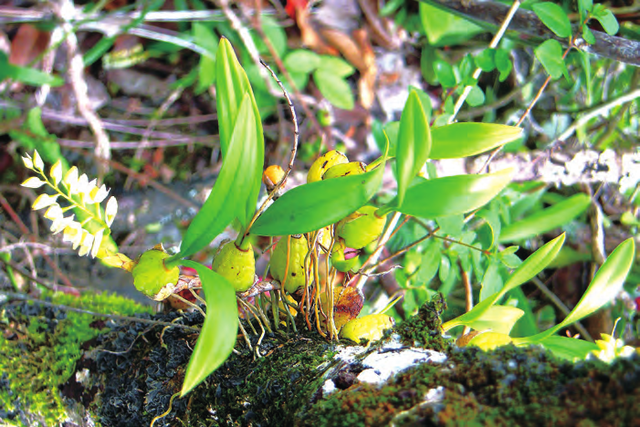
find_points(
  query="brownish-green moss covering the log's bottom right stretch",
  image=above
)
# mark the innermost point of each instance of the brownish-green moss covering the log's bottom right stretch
(507, 386)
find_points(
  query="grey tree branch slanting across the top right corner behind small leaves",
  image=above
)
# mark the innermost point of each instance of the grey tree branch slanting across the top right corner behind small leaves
(527, 23)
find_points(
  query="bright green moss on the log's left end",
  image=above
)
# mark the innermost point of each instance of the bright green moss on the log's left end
(40, 346)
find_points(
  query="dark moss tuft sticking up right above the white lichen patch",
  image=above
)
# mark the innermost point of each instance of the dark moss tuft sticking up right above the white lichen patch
(424, 329)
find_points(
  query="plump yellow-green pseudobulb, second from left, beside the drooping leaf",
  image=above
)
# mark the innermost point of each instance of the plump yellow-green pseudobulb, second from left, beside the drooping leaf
(236, 265)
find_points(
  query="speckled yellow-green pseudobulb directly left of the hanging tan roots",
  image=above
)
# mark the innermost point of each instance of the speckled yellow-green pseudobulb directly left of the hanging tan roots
(291, 276)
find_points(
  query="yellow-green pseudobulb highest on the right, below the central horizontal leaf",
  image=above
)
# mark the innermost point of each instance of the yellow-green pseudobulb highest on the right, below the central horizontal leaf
(361, 227)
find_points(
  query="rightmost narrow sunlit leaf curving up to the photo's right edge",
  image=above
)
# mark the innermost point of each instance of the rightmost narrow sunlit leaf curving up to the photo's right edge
(606, 284)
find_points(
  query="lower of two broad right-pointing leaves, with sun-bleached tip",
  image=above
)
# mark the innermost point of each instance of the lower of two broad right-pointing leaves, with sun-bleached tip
(453, 194)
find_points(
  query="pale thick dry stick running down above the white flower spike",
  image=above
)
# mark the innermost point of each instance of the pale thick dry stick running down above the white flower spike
(66, 11)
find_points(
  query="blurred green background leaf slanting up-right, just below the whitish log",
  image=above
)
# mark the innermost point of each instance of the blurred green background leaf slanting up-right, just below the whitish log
(546, 219)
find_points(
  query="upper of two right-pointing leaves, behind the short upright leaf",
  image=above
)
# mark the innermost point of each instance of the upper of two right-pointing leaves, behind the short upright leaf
(468, 139)
